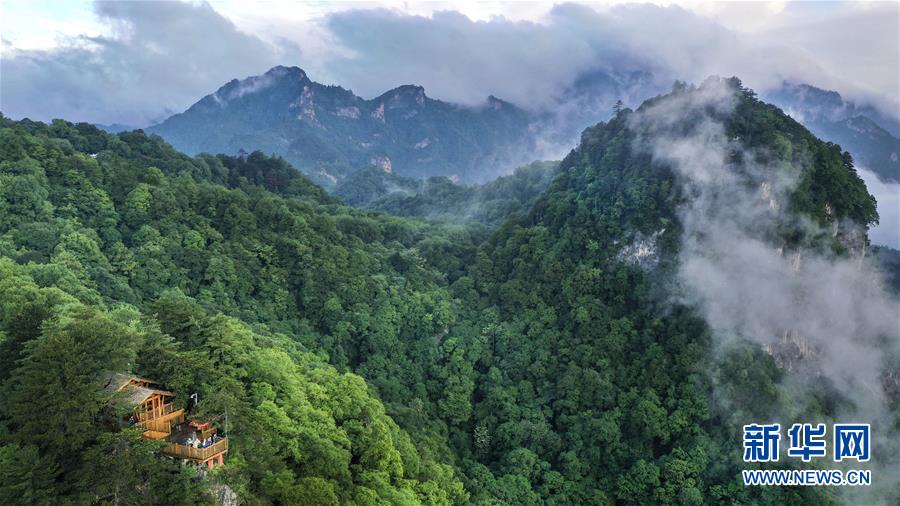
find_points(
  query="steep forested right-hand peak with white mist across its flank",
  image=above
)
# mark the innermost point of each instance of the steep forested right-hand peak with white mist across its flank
(639, 266)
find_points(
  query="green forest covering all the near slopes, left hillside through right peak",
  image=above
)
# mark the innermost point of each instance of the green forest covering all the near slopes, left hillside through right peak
(367, 358)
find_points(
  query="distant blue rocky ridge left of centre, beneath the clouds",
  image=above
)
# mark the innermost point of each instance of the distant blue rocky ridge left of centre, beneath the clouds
(328, 132)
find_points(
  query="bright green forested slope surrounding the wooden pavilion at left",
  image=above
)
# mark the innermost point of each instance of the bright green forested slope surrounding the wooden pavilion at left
(118, 253)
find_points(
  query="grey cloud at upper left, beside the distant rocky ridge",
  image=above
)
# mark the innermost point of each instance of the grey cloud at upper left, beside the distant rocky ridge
(158, 58)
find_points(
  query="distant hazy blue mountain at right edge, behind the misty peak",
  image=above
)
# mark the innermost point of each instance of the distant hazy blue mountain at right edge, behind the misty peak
(866, 133)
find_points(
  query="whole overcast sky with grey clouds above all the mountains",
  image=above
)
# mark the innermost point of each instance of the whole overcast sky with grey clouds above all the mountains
(137, 62)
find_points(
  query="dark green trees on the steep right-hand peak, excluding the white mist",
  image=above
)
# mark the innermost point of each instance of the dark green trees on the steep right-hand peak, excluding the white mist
(587, 378)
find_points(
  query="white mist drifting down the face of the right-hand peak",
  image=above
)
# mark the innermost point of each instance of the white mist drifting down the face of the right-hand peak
(821, 316)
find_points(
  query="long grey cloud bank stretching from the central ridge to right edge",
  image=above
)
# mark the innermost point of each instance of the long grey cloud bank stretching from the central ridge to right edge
(529, 62)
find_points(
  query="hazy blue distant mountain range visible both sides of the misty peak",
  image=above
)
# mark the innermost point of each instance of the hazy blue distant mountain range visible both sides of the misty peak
(328, 132)
